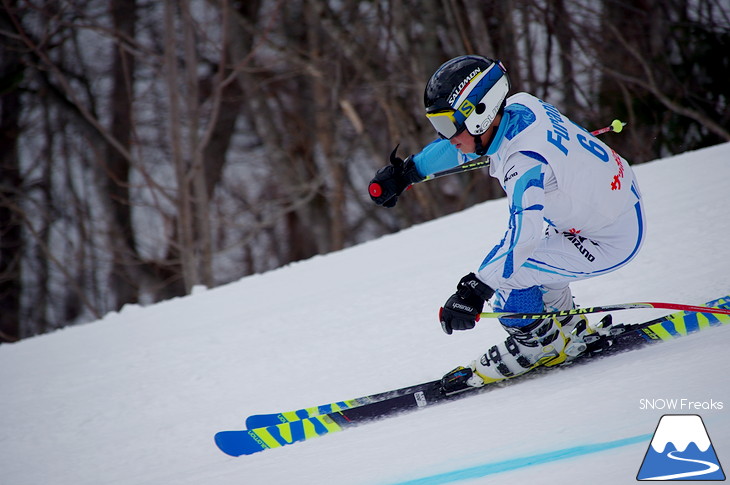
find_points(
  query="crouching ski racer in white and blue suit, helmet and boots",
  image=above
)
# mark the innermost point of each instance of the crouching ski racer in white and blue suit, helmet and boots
(553, 171)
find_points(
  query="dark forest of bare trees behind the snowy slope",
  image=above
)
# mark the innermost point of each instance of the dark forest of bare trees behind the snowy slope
(149, 147)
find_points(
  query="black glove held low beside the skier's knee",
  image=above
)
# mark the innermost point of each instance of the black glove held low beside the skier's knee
(461, 311)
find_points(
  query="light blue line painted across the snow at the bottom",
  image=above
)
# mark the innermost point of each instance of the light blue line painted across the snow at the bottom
(524, 462)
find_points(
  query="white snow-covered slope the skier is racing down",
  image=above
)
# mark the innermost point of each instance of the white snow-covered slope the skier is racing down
(136, 397)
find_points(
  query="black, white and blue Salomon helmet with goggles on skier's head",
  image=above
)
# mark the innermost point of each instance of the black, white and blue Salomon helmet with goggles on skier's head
(466, 92)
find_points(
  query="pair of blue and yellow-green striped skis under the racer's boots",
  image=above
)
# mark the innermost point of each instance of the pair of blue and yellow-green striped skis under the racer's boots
(267, 431)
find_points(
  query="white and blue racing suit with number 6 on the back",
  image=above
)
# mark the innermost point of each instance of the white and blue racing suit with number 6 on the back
(553, 171)
